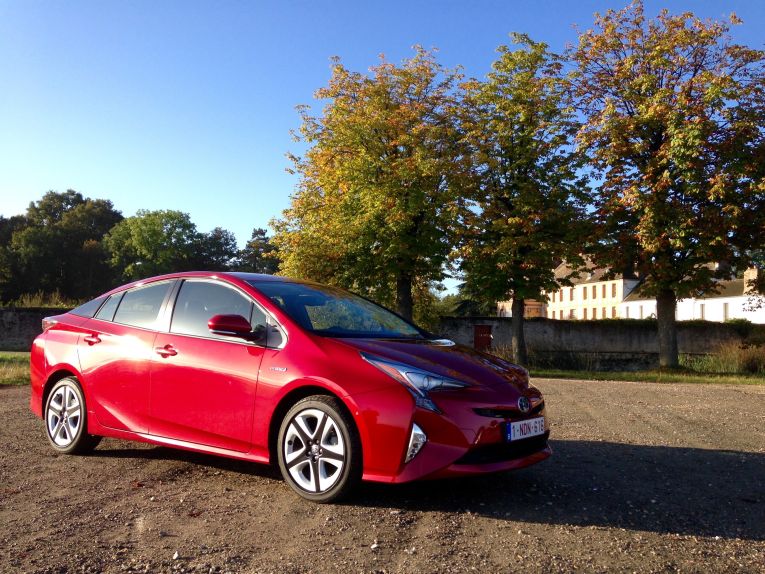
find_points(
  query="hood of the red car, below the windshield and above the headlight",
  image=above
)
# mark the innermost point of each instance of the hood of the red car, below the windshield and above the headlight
(447, 359)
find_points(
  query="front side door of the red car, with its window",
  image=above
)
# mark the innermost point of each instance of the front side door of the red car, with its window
(203, 385)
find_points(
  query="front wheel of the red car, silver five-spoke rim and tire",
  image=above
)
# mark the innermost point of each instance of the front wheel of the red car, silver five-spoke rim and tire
(319, 450)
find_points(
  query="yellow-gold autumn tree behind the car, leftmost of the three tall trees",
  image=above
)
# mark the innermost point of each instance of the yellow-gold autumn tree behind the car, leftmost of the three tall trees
(377, 199)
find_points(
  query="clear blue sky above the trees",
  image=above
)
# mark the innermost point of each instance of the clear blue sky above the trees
(189, 105)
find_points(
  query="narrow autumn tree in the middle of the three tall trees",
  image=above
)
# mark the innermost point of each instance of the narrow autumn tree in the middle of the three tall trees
(529, 200)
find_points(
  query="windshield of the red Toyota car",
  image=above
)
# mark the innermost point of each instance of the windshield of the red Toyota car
(335, 313)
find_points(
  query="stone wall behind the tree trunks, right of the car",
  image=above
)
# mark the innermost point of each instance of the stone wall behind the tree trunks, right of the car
(599, 345)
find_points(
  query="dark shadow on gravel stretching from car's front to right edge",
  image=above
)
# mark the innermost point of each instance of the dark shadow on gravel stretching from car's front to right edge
(586, 483)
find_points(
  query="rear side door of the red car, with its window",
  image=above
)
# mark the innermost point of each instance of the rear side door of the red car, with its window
(116, 351)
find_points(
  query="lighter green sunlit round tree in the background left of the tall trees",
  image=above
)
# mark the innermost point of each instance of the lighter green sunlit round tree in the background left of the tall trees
(153, 243)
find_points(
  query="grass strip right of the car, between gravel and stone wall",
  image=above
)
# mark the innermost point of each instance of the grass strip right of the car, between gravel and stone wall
(650, 376)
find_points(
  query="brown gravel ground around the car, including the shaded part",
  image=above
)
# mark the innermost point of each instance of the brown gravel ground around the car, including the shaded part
(644, 478)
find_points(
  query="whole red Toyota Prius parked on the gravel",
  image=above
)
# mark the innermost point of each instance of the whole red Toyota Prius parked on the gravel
(328, 385)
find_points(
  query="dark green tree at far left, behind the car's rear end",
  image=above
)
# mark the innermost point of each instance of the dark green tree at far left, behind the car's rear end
(58, 247)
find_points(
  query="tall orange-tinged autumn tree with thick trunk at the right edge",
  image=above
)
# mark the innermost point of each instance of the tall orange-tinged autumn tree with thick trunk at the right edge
(674, 125)
